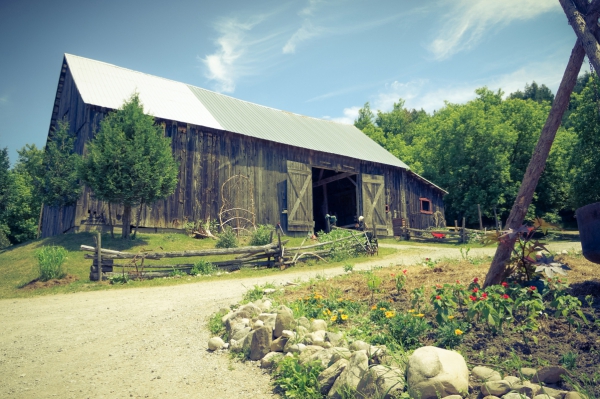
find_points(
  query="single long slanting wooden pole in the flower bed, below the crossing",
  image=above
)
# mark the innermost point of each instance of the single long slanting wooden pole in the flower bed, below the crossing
(536, 165)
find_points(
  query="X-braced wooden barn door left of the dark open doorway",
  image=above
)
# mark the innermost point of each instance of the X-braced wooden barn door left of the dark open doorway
(299, 197)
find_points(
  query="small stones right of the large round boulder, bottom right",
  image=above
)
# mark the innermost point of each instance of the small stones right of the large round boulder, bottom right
(533, 384)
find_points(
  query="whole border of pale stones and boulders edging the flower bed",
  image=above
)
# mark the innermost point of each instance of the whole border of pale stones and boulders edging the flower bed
(267, 335)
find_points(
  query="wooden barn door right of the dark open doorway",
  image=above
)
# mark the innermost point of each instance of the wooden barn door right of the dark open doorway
(373, 201)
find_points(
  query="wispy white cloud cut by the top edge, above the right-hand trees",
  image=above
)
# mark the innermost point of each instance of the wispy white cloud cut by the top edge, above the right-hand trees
(468, 21)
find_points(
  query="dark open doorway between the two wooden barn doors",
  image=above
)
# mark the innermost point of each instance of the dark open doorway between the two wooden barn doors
(334, 193)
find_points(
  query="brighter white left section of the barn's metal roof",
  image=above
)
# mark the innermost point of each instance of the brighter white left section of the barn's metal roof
(109, 86)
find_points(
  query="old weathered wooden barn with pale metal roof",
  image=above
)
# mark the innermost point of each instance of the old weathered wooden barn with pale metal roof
(241, 163)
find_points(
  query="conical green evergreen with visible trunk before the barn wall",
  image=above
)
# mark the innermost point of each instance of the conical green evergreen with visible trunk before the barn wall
(130, 162)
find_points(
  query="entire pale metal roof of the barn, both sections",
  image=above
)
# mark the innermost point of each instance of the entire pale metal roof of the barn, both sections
(109, 86)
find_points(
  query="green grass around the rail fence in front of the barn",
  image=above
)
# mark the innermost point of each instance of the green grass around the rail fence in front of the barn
(18, 264)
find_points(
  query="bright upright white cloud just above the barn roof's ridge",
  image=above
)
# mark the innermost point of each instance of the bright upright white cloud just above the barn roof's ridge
(223, 66)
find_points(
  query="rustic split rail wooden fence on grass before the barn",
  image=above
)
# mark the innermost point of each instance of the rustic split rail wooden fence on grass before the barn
(136, 265)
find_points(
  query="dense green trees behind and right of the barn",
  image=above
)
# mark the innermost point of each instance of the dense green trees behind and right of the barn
(479, 151)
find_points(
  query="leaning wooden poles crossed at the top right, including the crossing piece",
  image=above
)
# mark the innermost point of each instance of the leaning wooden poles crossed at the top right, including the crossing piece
(542, 149)
